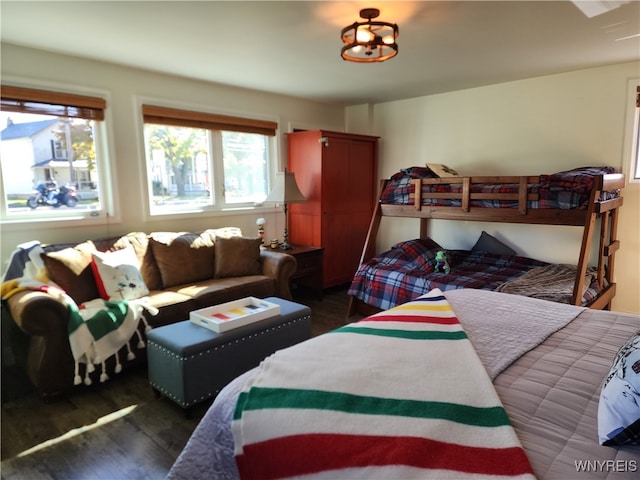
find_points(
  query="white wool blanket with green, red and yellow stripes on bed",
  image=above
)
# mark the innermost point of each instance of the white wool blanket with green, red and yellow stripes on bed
(401, 394)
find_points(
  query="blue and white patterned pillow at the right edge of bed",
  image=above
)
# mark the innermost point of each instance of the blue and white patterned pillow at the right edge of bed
(619, 406)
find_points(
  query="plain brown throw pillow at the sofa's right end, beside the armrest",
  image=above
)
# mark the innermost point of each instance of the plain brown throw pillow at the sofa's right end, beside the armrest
(237, 257)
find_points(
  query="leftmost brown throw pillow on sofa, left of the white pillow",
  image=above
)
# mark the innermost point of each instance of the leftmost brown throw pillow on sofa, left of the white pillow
(70, 268)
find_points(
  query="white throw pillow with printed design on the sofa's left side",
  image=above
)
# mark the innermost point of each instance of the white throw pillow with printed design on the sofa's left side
(117, 275)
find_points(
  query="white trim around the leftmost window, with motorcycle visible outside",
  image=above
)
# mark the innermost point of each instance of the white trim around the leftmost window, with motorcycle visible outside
(108, 187)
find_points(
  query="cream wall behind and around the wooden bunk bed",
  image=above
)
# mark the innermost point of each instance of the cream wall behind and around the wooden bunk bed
(539, 125)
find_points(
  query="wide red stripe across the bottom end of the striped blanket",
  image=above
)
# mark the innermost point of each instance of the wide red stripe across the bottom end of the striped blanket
(314, 453)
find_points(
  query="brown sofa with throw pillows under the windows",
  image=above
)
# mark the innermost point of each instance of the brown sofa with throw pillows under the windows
(175, 273)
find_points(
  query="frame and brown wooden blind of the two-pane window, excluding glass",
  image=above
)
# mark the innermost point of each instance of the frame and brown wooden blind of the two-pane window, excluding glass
(153, 111)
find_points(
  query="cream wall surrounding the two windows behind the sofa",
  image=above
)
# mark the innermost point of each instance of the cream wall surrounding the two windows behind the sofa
(28, 67)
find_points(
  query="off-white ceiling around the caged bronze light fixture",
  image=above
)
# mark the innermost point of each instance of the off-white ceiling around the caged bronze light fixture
(293, 47)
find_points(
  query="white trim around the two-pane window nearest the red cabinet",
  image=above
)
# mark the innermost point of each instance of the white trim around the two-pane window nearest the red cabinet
(215, 210)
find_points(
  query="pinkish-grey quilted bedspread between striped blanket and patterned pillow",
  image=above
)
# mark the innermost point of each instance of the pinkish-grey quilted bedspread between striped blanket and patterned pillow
(551, 395)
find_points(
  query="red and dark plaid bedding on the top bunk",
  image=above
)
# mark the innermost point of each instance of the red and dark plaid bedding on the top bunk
(564, 190)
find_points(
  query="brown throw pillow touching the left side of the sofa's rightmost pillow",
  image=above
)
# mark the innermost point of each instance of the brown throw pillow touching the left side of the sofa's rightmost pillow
(183, 257)
